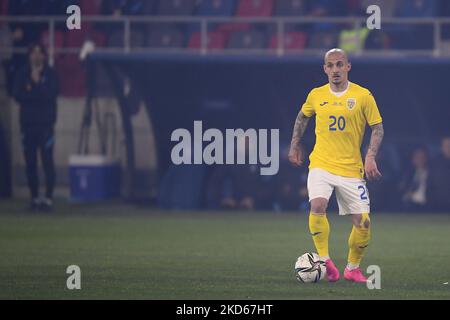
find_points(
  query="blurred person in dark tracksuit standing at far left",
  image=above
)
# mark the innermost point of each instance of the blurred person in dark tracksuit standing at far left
(36, 89)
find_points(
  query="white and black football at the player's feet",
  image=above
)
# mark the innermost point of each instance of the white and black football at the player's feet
(309, 269)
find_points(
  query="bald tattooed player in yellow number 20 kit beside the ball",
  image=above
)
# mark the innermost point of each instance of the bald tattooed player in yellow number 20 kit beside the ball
(342, 109)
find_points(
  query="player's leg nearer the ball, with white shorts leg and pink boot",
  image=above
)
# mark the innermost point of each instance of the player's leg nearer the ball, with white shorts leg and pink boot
(320, 188)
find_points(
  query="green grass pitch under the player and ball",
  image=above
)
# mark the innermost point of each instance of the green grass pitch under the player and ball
(126, 252)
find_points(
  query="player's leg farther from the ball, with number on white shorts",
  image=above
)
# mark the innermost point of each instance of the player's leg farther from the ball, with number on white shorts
(353, 199)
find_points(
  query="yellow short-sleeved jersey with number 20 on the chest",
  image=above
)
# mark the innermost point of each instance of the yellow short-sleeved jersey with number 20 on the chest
(340, 124)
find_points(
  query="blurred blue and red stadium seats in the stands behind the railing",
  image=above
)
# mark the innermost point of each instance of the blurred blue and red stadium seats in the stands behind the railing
(240, 35)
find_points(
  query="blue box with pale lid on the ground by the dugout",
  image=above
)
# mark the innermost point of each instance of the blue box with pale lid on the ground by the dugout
(94, 178)
